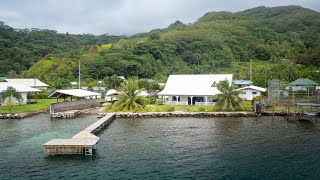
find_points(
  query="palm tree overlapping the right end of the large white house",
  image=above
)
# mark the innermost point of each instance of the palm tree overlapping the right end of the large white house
(228, 99)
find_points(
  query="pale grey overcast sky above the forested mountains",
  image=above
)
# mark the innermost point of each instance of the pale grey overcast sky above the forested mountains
(121, 17)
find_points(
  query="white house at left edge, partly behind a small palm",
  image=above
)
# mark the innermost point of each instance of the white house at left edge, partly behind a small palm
(22, 89)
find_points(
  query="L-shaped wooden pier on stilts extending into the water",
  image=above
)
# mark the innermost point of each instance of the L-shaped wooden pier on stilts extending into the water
(83, 142)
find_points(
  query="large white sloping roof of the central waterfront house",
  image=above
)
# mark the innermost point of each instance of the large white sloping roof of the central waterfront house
(194, 85)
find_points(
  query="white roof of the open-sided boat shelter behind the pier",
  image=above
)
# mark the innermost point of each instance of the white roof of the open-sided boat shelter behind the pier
(74, 92)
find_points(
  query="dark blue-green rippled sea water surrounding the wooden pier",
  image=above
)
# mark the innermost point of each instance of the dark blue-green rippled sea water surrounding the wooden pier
(165, 148)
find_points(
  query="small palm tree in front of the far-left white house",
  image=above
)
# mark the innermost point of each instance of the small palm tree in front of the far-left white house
(11, 94)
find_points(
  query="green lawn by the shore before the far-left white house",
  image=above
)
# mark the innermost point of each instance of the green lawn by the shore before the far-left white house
(42, 104)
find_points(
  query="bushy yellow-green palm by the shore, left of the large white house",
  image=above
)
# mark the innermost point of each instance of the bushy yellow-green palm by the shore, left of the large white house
(129, 99)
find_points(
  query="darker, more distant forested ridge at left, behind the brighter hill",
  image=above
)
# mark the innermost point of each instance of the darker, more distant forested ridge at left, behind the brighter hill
(21, 48)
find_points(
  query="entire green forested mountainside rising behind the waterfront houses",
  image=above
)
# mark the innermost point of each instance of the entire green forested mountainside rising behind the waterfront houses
(283, 42)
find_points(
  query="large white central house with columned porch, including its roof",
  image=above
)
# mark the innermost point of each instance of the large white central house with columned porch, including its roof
(197, 89)
